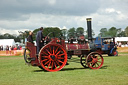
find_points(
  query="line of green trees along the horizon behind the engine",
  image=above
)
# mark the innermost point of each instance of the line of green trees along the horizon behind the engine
(68, 33)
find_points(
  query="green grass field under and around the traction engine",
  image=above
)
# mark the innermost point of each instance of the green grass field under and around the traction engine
(13, 71)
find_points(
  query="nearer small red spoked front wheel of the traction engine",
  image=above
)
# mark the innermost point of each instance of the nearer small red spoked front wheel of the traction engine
(94, 60)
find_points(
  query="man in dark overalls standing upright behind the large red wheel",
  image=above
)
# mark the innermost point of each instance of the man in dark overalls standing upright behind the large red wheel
(39, 39)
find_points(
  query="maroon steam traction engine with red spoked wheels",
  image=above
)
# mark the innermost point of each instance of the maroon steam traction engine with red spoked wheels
(53, 56)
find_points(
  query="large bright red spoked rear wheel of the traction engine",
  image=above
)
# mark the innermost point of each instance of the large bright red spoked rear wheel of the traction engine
(52, 57)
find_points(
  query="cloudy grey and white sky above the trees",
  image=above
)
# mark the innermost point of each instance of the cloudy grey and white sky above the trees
(20, 15)
